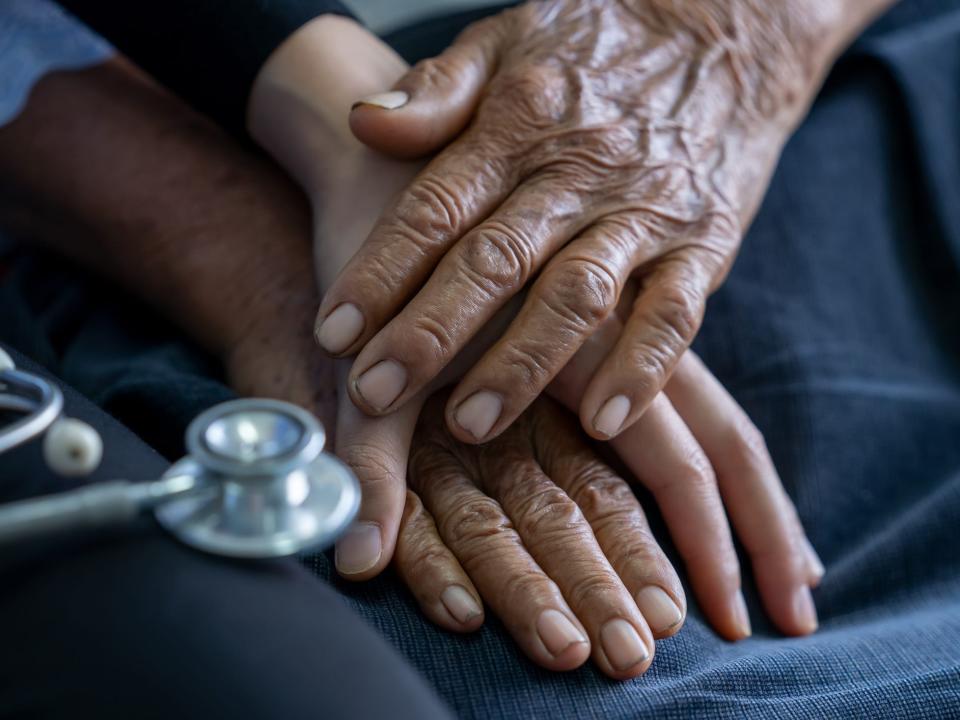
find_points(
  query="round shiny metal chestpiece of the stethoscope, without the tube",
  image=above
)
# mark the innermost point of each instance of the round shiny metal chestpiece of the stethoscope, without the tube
(263, 487)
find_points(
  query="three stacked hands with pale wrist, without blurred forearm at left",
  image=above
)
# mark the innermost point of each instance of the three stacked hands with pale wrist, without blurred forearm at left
(595, 166)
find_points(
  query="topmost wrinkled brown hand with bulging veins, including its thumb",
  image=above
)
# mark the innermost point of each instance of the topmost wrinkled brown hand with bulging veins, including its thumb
(596, 141)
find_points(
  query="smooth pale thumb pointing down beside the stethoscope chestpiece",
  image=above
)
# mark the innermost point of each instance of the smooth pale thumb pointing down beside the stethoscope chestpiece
(376, 449)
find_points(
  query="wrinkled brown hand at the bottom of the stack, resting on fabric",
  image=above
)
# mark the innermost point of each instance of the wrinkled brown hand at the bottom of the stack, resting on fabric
(552, 540)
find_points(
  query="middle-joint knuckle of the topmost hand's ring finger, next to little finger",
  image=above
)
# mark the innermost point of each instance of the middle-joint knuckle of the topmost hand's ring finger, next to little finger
(581, 292)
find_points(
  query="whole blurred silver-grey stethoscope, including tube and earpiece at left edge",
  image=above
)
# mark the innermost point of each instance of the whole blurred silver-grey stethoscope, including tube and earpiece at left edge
(255, 483)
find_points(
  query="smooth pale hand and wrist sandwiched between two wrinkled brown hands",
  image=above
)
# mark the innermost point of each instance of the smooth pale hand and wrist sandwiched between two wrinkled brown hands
(695, 449)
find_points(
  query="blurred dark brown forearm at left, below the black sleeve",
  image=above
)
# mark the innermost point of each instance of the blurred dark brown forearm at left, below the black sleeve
(110, 170)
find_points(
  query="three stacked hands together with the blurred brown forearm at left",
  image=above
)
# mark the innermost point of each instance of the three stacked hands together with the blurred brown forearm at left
(517, 232)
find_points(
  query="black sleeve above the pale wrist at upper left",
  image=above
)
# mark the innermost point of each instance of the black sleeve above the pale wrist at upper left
(207, 51)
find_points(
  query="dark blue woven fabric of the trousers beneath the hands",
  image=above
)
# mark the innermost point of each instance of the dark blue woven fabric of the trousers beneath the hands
(839, 332)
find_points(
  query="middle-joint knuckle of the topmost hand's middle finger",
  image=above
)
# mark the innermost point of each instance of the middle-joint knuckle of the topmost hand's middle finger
(498, 258)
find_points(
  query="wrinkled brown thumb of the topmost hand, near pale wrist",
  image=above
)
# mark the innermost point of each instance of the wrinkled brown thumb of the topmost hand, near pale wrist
(434, 101)
